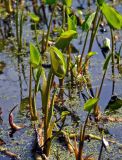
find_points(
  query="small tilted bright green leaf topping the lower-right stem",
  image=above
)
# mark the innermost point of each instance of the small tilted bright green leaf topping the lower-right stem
(90, 104)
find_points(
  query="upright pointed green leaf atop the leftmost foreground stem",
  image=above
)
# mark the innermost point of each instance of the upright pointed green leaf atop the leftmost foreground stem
(35, 58)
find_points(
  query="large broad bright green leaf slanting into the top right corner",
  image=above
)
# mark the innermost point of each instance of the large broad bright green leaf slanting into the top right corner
(113, 17)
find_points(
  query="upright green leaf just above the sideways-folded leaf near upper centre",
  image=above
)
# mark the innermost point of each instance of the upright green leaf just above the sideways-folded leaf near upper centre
(72, 23)
